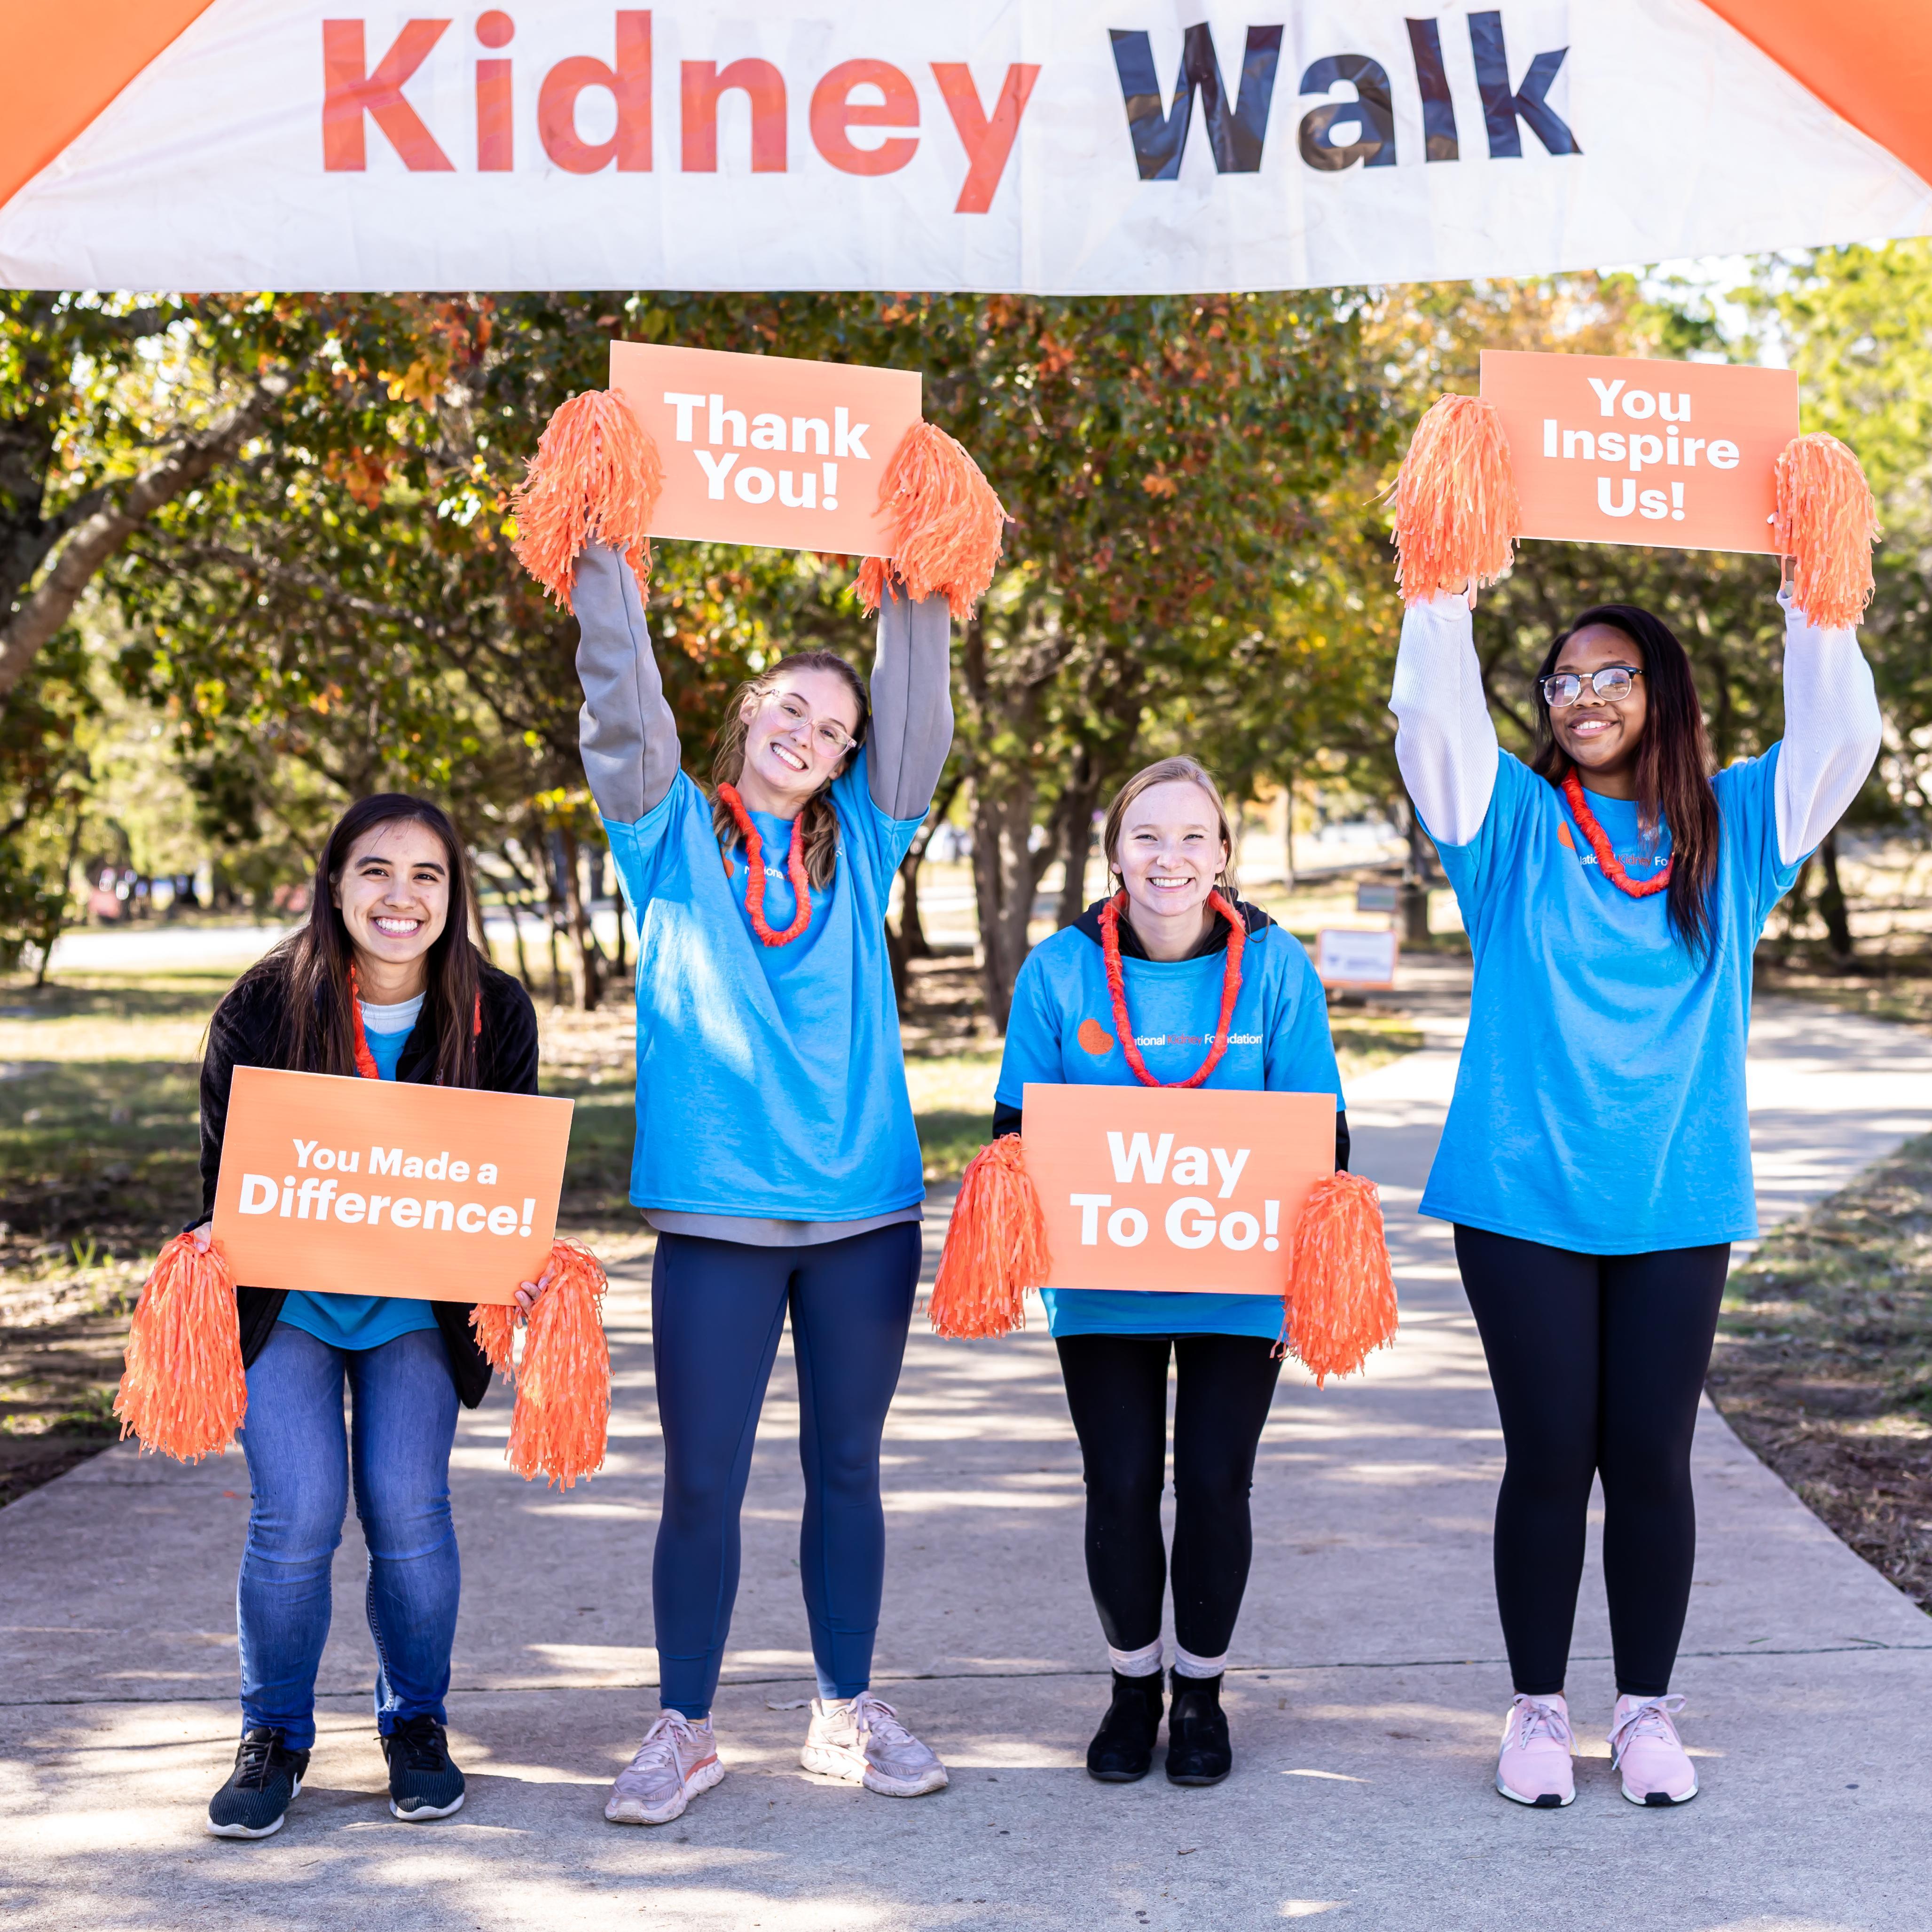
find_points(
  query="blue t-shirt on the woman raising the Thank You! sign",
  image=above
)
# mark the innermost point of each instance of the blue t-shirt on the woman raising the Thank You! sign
(770, 1079)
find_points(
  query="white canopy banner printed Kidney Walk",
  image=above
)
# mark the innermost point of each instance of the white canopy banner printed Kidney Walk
(1044, 146)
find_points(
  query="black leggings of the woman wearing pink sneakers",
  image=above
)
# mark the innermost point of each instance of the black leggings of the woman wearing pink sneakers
(1597, 1363)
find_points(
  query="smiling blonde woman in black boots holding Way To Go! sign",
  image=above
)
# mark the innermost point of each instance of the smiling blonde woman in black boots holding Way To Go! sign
(1170, 982)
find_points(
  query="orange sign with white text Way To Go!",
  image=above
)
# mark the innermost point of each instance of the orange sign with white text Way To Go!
(1174, 1189)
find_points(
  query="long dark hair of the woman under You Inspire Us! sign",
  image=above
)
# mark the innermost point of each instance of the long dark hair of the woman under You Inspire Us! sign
(1672, 762)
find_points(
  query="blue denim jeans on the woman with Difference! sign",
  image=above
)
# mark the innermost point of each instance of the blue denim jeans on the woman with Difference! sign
(300, 1460)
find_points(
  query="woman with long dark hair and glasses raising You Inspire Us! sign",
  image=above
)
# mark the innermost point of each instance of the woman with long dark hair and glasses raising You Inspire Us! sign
(1597, 1156)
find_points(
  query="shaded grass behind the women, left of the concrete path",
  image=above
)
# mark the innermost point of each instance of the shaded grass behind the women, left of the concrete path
(99, 1085)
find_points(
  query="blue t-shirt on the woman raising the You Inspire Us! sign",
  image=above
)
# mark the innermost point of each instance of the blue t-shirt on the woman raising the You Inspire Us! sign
(1601, 1102)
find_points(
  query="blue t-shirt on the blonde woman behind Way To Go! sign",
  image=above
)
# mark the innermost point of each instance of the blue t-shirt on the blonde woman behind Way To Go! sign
(1278, 1042)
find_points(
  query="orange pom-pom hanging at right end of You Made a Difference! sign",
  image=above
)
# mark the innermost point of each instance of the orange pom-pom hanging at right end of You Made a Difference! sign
(563, 1384)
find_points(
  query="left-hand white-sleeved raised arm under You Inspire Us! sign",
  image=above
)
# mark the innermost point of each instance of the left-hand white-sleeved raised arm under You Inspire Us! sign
(1444, 739)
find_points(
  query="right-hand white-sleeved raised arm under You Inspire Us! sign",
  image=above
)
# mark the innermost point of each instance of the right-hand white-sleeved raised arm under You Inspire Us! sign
(1833, 731)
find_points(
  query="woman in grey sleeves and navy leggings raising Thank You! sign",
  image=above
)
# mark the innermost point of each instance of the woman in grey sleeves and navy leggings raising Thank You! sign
(776, 1151)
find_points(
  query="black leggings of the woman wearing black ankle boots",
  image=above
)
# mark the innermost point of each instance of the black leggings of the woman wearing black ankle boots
(1118, 1394)
